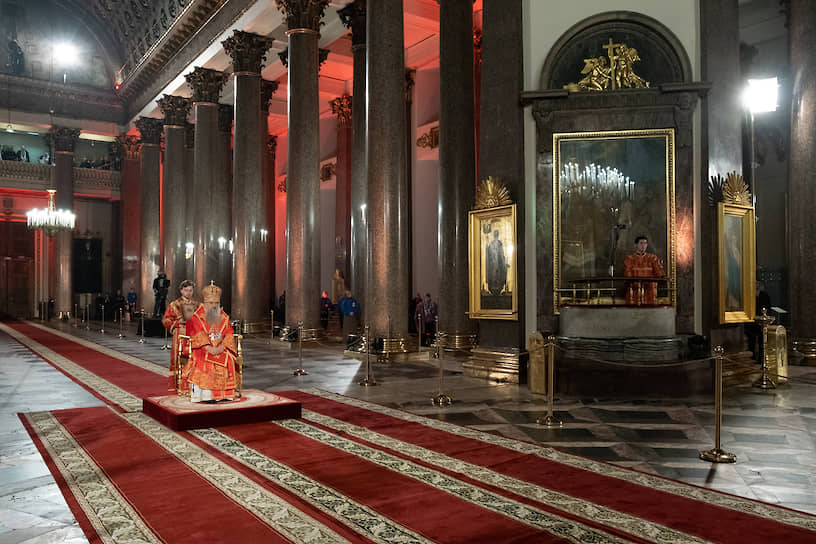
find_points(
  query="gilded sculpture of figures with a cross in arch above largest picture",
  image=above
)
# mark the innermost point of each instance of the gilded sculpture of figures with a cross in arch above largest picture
(613, 71)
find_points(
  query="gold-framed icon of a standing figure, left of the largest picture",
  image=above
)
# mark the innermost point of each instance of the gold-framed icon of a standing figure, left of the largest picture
(492, 261)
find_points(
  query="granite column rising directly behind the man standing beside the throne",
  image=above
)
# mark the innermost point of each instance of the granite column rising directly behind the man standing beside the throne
(174, 197)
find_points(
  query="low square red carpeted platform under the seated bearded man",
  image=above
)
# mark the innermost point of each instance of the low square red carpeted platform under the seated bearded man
(254, 406)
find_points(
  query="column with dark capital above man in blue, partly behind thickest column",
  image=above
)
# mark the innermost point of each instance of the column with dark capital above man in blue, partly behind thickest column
(354, 17)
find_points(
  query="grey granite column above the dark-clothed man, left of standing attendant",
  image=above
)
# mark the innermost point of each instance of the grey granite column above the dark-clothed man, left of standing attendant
(150, 242)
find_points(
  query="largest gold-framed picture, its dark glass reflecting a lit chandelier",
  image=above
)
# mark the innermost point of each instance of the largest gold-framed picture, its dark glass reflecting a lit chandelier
(609, 189)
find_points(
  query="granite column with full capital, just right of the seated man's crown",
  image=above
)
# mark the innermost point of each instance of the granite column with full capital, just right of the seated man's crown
(250, 271)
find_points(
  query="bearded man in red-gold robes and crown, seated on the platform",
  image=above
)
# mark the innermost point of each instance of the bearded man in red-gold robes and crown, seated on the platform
(211, 370)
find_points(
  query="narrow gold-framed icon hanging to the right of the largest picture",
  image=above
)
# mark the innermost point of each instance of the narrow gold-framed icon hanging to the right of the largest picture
(736, 263)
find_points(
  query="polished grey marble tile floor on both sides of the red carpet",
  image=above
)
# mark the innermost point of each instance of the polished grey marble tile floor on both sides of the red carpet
(773, 433)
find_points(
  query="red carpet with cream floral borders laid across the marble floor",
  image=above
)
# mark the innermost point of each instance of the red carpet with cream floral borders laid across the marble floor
(351, 471)
